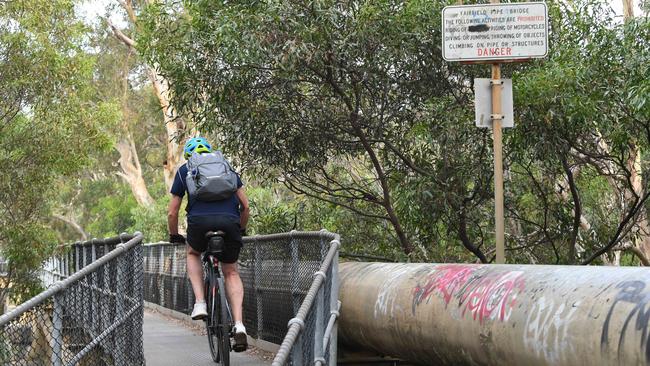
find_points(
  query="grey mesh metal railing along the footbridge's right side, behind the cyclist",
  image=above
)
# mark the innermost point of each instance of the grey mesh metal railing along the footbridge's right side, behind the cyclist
(290, 284)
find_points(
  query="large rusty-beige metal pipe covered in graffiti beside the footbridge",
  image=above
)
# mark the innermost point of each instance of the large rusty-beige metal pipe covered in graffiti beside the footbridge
(463, 314)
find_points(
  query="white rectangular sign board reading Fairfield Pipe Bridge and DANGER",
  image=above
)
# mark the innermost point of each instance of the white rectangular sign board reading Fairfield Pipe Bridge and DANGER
(511, 31)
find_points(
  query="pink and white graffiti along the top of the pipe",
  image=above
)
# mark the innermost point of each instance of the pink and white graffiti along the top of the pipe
(483, 295)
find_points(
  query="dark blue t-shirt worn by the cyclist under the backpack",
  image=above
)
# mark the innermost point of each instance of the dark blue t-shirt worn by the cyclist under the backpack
(229, 206)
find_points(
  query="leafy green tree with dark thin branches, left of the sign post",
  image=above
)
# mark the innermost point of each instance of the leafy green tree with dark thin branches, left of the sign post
(315, 90)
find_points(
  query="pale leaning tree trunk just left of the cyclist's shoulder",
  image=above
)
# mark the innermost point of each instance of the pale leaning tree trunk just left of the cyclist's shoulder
(132, 172)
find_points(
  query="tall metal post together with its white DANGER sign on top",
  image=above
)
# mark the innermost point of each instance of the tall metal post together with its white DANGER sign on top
(492, 34)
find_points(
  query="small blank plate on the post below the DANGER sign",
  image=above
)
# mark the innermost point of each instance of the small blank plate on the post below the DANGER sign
(483, 103)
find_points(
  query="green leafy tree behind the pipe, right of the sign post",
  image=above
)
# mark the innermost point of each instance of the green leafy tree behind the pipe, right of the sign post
(585, 128)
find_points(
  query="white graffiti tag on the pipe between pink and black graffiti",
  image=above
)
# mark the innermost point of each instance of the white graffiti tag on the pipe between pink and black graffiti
(547, 329)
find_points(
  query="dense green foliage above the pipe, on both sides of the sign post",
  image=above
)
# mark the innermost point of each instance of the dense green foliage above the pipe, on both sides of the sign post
(351, 103)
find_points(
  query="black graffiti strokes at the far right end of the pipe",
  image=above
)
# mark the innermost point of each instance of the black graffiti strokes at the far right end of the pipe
(631, 292)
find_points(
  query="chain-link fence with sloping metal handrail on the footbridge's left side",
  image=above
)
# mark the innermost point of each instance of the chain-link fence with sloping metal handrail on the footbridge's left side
(90, 315)
